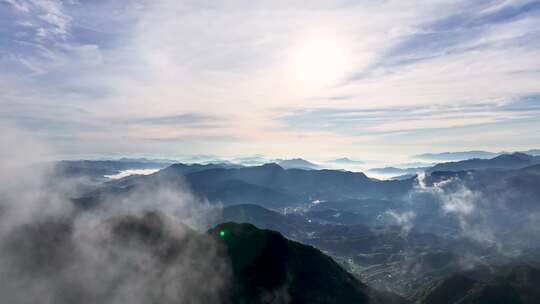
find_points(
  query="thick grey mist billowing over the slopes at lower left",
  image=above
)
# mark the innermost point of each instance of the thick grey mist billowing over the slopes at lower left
(53, 252)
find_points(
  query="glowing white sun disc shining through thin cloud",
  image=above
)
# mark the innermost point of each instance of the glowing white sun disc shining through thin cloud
(319, 62)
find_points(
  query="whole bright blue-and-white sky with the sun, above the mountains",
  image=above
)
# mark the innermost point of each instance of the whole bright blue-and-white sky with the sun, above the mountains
(317, 79)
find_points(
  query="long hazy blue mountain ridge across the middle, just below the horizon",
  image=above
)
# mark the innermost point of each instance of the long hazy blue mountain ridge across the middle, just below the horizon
(268, 185)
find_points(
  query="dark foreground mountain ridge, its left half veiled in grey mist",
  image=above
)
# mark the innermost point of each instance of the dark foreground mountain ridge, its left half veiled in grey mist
(150, 258)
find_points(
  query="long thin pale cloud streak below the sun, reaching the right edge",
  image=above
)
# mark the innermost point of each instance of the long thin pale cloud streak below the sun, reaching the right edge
(409, 118)
